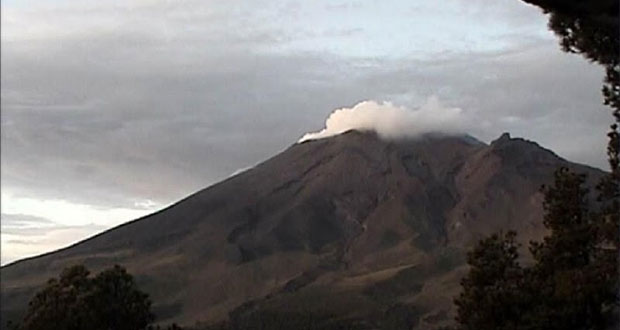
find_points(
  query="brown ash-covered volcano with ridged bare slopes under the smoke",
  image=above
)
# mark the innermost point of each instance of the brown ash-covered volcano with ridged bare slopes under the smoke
(350, 227)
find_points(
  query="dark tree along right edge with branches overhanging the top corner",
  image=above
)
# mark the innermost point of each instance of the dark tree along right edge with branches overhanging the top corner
(592, 29)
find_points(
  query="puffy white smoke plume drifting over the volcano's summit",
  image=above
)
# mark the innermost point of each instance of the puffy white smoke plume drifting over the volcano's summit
(390, 121)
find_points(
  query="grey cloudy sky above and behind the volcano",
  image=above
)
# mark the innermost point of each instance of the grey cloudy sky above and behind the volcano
(114, 109)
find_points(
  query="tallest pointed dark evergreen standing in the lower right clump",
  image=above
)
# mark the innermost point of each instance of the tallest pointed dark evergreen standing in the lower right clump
(566, 279)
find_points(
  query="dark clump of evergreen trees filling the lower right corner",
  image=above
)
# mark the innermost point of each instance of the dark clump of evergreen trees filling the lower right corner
(574, 279)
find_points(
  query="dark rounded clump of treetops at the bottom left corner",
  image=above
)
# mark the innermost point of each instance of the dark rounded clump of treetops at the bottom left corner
(76, 301)
